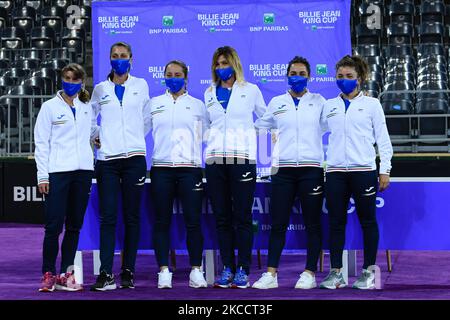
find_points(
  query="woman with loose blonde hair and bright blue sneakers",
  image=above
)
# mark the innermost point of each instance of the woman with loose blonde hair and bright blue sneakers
(231, 162)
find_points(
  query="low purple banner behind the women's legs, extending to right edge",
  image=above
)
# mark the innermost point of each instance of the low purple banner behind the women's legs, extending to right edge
(411, 216)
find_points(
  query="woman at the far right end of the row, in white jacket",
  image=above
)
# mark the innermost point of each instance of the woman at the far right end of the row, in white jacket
(356, 123)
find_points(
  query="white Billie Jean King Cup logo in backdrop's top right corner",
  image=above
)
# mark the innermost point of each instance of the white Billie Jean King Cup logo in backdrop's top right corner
(317, 20)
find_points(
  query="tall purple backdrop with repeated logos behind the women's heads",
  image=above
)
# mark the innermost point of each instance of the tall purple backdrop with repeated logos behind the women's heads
(266, 36)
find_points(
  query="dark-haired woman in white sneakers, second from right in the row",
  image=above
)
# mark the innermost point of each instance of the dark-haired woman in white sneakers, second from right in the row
(297, 170)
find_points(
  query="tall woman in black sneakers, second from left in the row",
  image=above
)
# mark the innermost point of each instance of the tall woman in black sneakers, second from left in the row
(123, 103)
